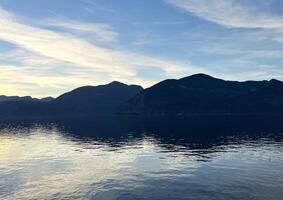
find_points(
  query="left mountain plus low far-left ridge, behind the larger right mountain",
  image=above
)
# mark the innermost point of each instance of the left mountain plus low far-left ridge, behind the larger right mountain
(87, 100)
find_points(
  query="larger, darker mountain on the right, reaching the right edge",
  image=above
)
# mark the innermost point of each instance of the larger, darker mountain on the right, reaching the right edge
(203, 94)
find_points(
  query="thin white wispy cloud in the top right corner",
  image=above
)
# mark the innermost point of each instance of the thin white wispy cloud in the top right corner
(229, 13)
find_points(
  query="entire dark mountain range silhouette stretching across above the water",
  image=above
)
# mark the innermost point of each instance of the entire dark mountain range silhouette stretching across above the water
(193, 95)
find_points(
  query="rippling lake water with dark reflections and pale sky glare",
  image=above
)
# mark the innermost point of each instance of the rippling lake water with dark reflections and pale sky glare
(148, 159)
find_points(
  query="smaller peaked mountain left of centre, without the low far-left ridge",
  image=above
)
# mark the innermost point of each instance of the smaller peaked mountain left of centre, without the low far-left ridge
(102, 99)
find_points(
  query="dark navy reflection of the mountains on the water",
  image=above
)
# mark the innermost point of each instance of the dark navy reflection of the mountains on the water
(191, 132)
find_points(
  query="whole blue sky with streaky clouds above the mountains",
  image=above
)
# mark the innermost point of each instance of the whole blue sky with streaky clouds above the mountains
(48, 47)
